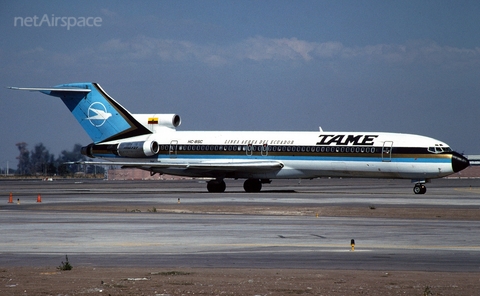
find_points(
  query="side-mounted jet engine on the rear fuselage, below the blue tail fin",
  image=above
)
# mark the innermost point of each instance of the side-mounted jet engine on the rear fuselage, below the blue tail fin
(127, 149)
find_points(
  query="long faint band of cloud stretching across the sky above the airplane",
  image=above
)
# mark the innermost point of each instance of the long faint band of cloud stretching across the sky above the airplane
(143, 49)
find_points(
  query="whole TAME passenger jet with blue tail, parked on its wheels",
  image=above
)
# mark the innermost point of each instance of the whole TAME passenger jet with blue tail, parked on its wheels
(151, 142)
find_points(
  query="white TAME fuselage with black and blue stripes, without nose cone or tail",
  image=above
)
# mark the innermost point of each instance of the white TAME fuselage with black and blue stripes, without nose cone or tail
(302, 154)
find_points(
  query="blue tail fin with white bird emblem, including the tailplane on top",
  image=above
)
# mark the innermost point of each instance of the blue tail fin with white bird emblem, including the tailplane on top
(100, 115)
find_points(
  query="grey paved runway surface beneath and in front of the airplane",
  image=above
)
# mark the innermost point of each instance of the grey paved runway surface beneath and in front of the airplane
(122, 223)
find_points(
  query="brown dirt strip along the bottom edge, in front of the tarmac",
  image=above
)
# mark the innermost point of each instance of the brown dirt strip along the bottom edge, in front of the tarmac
(211, 281)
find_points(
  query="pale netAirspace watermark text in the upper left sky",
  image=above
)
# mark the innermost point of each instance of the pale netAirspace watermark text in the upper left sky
(57, 21)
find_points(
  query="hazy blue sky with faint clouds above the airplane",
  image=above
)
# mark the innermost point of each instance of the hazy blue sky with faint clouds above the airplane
(385, 66)
